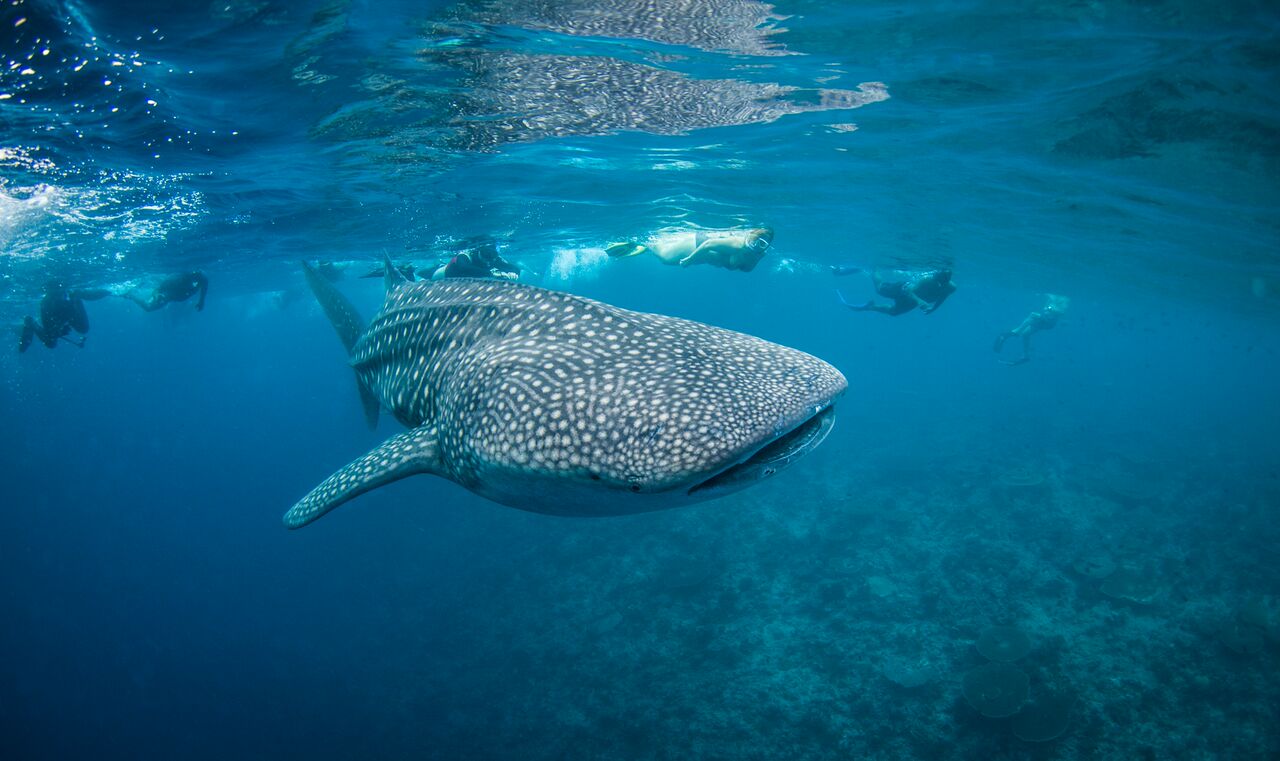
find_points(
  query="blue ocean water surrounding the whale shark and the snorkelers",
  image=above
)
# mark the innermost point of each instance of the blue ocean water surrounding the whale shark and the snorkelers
(1113, 501)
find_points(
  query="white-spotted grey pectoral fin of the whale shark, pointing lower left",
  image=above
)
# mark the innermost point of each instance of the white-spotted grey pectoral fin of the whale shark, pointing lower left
(408, 455)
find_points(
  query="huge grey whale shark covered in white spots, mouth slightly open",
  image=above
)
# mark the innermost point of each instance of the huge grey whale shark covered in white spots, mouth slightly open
(555, 404)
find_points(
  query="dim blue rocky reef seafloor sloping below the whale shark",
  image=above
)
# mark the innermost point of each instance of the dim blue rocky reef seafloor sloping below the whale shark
(991, 607)
